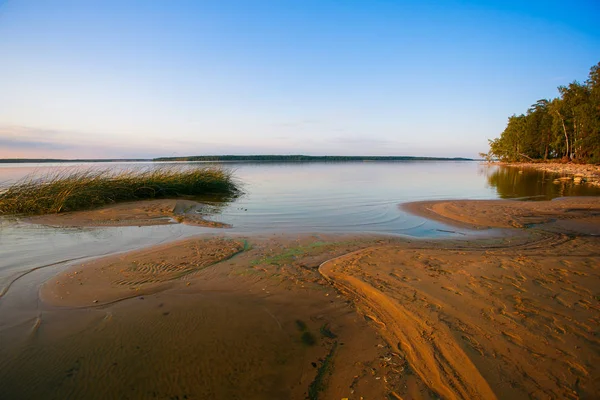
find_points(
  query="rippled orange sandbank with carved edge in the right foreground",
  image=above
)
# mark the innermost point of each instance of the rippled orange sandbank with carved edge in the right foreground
(514, 322)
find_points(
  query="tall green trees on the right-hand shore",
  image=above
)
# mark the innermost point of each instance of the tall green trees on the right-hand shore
(565, 128)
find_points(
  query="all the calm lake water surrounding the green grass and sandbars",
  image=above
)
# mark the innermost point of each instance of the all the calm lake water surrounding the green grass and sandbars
(283, 197)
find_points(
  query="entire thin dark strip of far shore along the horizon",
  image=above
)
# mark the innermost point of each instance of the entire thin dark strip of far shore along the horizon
(293, 158)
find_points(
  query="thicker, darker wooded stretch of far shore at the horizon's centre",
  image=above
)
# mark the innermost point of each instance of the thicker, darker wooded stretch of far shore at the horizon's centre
(306, 158)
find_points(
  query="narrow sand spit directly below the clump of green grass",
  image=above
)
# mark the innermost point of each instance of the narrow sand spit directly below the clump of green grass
(138, 213)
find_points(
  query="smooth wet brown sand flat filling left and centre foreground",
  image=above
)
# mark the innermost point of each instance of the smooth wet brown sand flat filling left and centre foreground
(261, 324)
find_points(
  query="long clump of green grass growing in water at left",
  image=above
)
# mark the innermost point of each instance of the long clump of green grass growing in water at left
(87, 189)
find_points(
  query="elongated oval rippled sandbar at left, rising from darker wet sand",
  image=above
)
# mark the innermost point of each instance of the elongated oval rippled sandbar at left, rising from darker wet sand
(114, 278)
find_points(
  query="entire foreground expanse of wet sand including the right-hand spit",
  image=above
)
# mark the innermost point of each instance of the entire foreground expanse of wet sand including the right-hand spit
(330, 316)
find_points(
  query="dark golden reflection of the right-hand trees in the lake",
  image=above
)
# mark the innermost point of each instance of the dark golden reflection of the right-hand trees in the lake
(533, 184)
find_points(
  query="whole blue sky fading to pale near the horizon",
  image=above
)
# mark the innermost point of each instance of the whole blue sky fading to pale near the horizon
(111, 79)
